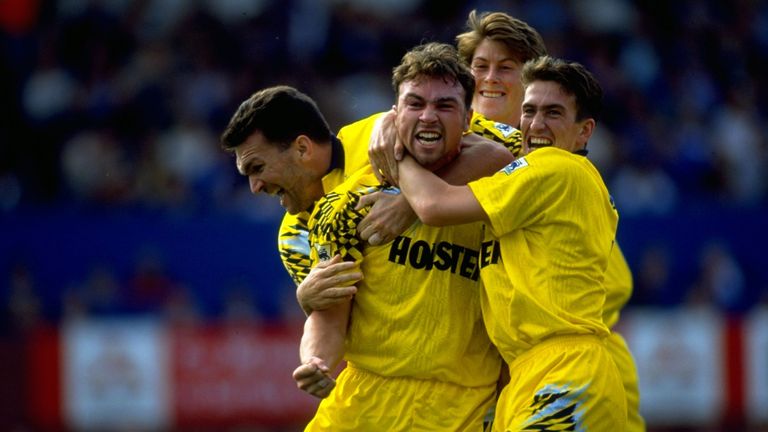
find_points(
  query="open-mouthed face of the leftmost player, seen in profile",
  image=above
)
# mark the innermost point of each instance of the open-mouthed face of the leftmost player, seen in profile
(282, 172)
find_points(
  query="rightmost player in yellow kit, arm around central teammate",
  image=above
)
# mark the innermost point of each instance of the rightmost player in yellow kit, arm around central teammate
(551, 226)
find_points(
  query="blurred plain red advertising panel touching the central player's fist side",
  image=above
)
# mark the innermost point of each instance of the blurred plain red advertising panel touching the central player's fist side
(238, 375)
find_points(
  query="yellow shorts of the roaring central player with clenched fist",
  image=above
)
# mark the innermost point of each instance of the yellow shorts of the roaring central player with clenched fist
(364, 401)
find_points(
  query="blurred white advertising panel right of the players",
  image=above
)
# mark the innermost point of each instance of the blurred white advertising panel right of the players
(679, 356)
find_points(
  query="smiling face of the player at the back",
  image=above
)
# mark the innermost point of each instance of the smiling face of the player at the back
(498, 90)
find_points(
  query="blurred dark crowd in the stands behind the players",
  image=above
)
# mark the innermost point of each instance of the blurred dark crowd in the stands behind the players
(116, 106)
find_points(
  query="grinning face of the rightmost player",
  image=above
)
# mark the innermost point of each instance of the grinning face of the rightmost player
(549, 119)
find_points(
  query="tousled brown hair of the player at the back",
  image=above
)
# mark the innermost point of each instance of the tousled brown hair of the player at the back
(522, 40)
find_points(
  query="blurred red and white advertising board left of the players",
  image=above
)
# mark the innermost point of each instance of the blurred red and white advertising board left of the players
(133, 374)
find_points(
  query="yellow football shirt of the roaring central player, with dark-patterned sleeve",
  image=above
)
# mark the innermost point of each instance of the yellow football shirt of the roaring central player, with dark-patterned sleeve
(417, 311)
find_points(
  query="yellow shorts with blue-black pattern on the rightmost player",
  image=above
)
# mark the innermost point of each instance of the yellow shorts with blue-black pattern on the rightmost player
(563, 383)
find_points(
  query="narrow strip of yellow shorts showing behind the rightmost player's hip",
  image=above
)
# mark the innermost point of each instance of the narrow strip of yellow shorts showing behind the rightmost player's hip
(621, 355)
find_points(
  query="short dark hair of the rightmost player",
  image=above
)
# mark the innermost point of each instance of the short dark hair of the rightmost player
(573, 77)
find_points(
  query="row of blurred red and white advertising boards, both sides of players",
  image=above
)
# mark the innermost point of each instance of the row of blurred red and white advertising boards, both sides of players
(696, 368)
